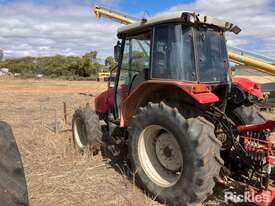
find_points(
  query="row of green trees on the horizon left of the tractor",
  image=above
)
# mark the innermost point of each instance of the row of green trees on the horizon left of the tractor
(59, 66)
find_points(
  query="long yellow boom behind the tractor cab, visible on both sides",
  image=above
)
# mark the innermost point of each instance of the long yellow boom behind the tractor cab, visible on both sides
(239, 58)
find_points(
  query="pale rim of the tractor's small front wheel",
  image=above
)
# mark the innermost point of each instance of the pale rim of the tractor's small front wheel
(80, 133)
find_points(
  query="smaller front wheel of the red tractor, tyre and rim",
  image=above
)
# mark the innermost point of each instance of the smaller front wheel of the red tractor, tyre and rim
(86, 129)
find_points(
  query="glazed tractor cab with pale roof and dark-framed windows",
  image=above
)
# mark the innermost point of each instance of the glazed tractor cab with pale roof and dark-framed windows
(178, 47)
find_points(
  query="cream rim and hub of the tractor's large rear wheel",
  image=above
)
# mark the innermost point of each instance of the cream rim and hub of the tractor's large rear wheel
(160, 156)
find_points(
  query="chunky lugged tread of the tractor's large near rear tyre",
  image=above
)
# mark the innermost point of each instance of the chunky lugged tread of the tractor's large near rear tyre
(206, 150)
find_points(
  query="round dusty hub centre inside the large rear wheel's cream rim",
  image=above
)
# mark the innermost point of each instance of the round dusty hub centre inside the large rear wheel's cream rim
(167, 151)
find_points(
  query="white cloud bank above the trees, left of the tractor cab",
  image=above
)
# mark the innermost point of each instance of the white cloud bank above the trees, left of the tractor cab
(42, 30)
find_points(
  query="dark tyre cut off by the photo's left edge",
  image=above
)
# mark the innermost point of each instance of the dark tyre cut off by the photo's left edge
(13, 187)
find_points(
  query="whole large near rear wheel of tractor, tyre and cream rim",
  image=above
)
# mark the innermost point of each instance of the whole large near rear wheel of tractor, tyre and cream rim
(175, 158)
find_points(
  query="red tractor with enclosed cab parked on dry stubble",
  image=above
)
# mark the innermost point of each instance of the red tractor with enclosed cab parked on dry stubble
(177, 113)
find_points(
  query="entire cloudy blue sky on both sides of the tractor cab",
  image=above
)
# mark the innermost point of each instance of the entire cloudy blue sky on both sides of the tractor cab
(40, 27)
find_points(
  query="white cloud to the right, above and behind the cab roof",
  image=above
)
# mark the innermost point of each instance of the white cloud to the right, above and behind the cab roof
(255, 17)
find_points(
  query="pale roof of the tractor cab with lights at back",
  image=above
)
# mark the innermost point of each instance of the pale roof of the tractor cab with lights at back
(177, 16)
